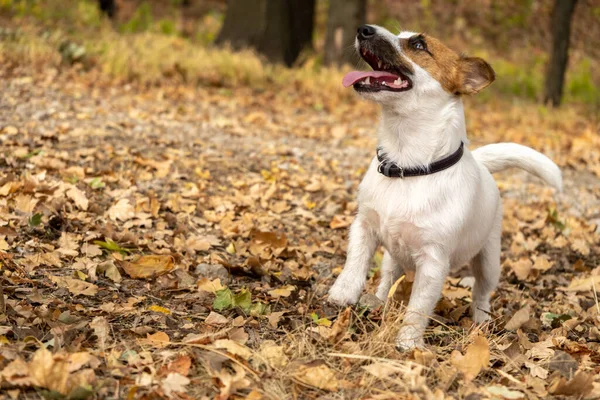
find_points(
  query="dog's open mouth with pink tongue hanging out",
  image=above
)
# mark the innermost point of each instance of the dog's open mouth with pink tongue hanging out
(383, 77)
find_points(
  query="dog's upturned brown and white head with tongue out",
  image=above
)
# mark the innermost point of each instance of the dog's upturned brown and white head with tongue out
(411, 68)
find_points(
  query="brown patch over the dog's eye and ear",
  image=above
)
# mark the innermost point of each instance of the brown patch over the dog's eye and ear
(456, 74)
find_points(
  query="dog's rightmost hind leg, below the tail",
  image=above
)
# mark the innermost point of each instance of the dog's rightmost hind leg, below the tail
(486, 269)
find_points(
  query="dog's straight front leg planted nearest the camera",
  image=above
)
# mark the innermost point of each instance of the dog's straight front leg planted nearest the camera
(432, 269)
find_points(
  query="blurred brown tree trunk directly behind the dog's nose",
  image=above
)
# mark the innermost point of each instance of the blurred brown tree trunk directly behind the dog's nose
(343, 18)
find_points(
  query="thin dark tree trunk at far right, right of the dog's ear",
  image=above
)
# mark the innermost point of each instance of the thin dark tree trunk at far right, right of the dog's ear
(562, 15)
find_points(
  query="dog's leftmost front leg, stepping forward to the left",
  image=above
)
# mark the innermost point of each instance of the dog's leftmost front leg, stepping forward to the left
(361, 246)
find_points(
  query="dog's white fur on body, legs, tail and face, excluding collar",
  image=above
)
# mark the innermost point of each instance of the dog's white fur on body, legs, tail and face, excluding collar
(432, 223)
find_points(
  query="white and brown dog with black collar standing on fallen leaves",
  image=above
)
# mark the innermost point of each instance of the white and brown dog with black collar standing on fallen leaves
(430, 202)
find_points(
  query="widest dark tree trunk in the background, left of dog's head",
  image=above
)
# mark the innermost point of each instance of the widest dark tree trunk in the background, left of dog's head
(279, 29)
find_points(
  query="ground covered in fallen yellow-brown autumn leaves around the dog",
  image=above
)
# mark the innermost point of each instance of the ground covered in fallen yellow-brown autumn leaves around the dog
(179, 242)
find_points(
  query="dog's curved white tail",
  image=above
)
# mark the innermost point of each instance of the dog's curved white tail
(501, 156)
